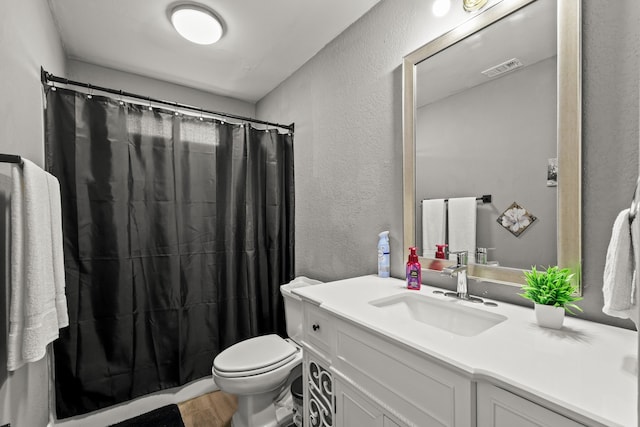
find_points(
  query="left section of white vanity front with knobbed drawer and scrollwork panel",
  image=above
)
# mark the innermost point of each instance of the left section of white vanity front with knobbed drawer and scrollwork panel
(375, 381)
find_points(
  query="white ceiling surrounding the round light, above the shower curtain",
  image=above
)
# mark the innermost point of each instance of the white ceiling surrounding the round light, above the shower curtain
(264, 41)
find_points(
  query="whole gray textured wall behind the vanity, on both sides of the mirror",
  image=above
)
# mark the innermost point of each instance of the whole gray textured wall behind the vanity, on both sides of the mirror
(346, 104)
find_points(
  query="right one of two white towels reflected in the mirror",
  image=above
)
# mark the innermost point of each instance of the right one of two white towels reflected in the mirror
(462, 226)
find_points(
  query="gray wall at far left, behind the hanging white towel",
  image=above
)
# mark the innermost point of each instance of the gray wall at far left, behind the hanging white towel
(28, 39)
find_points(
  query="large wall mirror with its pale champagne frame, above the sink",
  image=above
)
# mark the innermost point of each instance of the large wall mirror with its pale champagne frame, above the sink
(493, 108)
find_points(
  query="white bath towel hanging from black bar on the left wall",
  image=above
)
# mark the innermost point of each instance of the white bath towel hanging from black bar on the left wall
(38, 305)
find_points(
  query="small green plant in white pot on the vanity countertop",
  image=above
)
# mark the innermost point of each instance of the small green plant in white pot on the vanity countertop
(553, 292)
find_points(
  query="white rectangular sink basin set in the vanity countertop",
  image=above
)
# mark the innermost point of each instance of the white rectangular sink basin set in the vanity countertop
(451, 316)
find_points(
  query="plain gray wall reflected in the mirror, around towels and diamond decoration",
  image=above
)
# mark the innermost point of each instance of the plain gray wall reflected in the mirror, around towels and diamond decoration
(502, 148)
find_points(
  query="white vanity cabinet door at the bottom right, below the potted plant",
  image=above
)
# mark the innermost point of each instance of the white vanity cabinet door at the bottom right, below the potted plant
(500, 408)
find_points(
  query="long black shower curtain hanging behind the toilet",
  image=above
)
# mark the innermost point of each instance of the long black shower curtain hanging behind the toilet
(178, 233)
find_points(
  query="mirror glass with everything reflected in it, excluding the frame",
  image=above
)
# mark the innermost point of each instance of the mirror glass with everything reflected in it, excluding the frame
(486, 125)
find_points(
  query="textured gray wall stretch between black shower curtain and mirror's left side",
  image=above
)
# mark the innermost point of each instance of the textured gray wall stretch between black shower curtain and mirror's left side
(346, 103)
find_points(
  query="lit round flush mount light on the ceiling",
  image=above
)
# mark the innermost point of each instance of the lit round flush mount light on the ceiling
(196, 23)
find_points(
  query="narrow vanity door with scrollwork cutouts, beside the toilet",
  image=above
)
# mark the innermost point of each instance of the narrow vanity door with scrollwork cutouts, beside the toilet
(319, 394)
